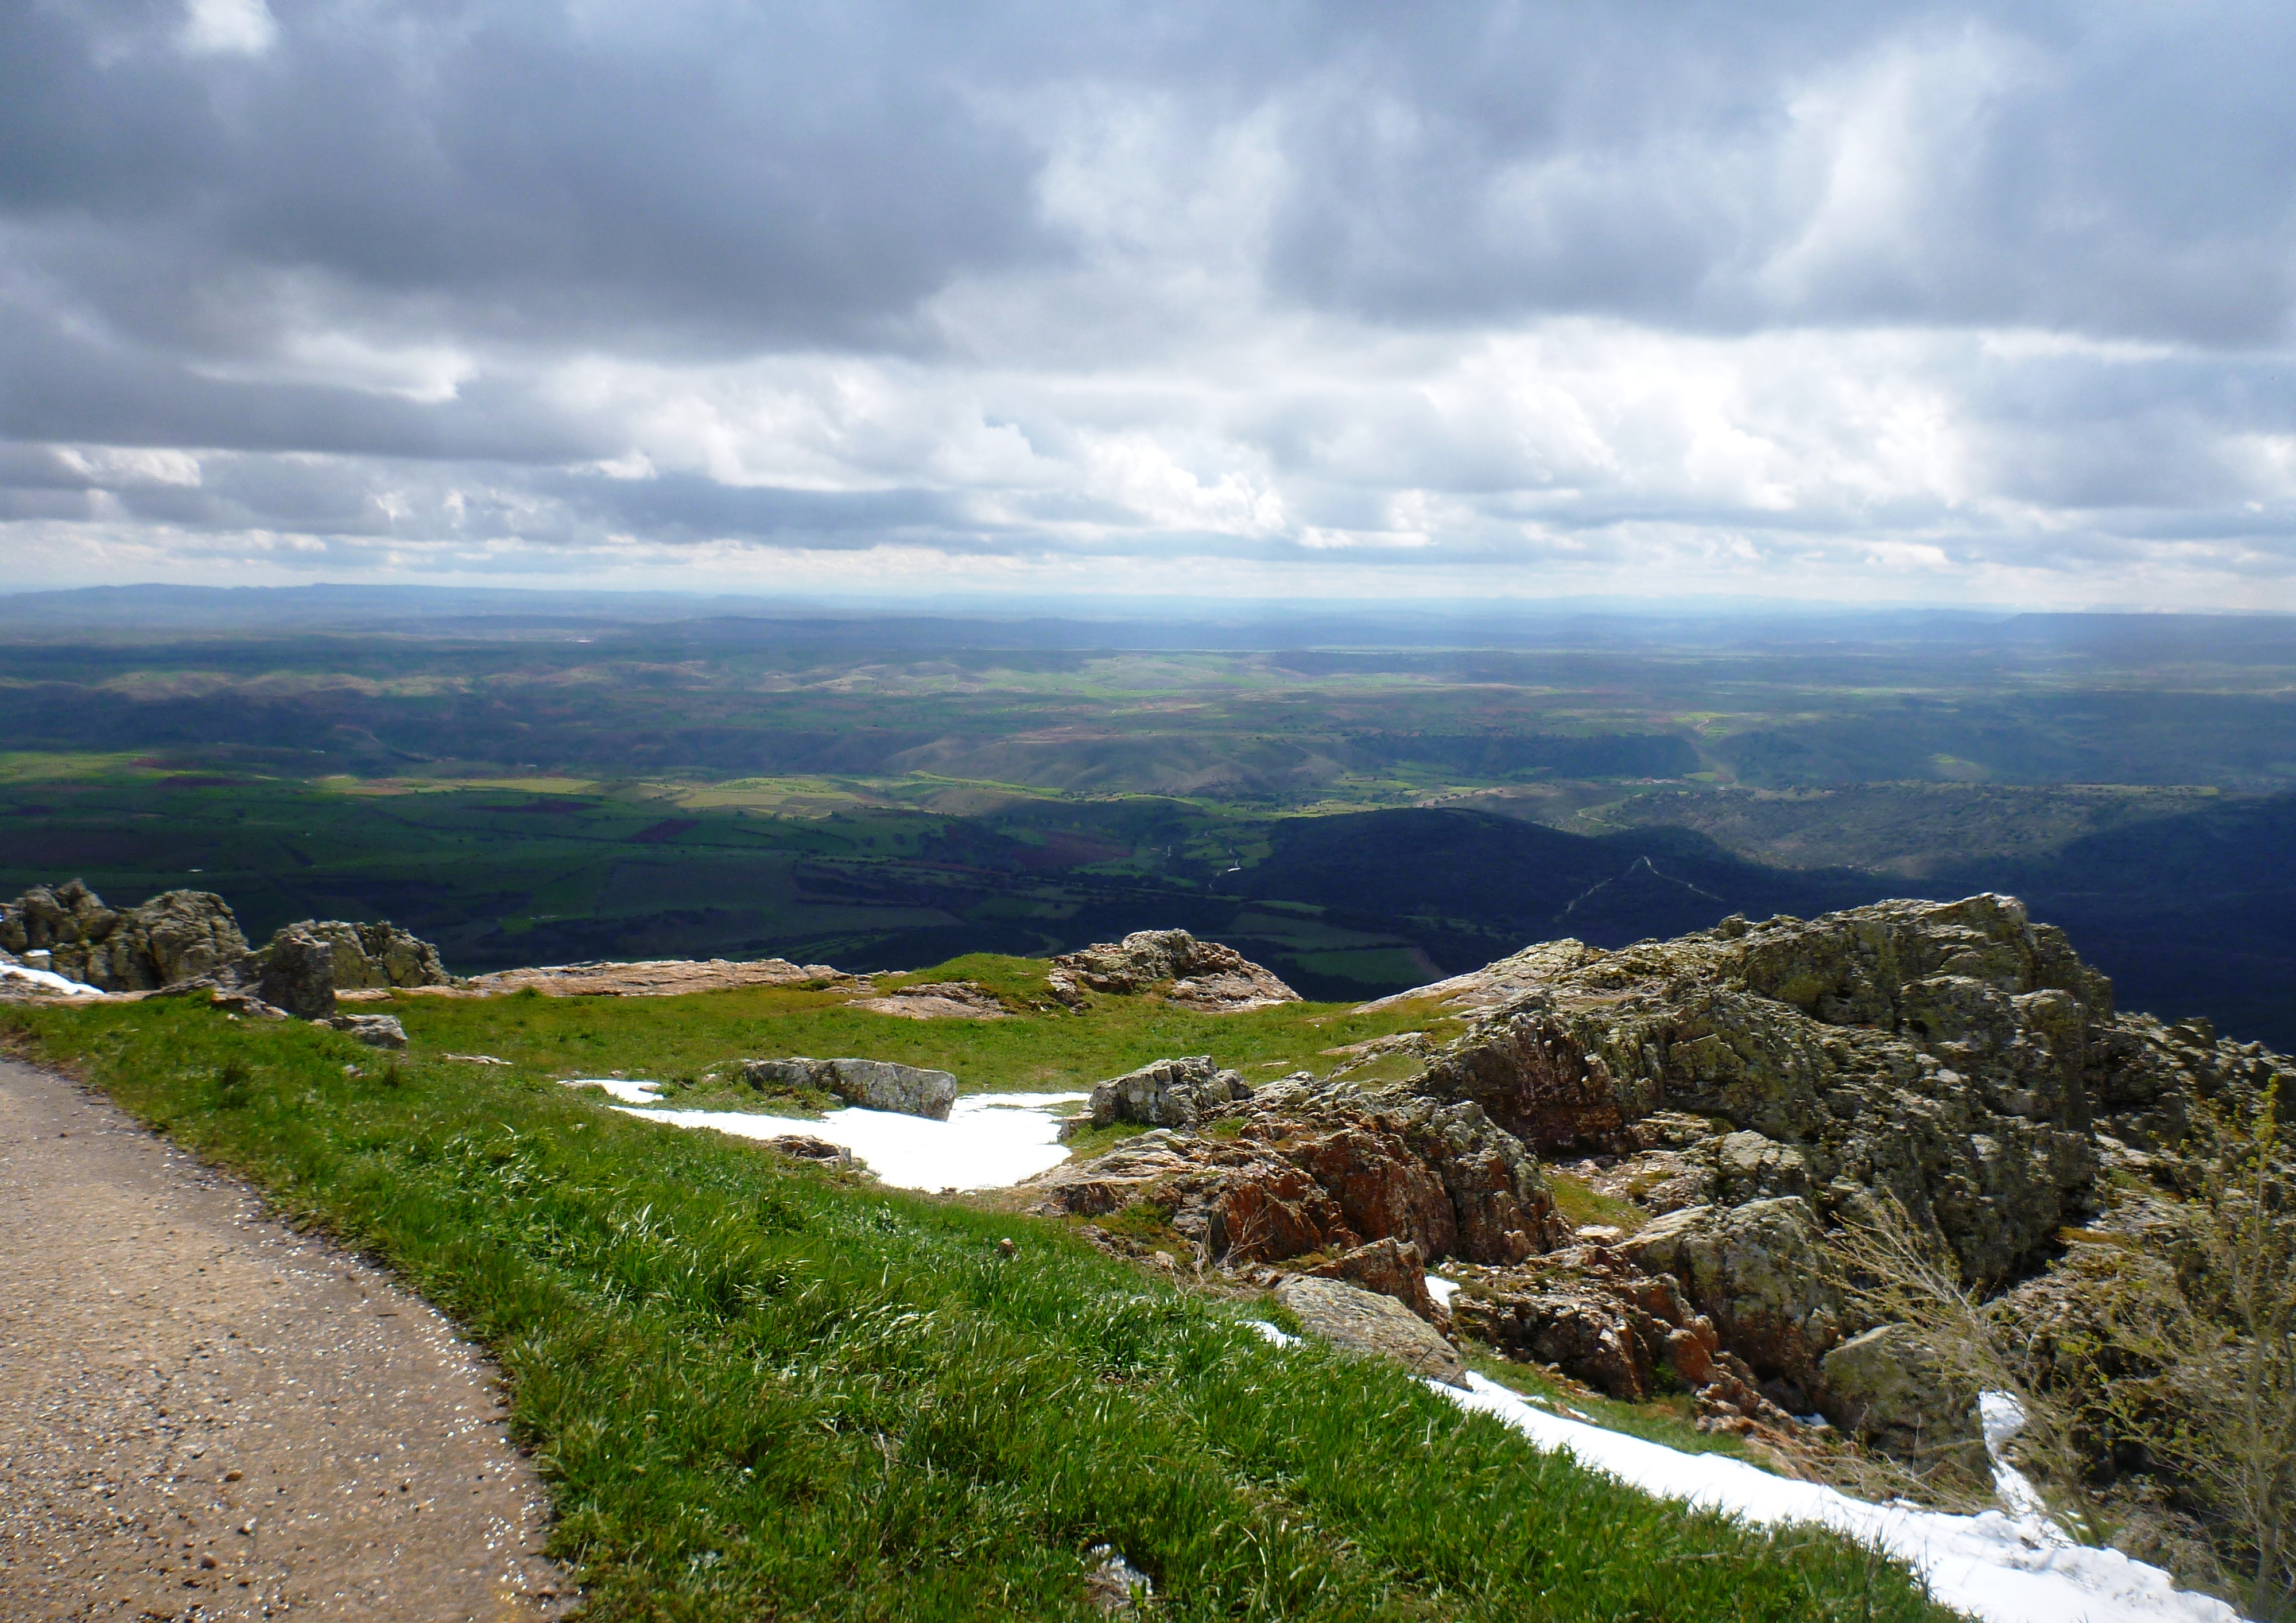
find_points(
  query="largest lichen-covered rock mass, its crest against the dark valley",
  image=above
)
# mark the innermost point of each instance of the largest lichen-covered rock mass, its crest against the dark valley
(1955, 1057)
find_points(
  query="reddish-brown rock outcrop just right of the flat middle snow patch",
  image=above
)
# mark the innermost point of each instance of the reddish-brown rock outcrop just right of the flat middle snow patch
(1326, 1170)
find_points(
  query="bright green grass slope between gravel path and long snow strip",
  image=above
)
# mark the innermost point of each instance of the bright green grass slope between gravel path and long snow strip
(759, 1390)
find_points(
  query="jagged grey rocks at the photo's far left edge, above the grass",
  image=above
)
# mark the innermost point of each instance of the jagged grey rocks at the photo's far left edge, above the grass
(178, 935)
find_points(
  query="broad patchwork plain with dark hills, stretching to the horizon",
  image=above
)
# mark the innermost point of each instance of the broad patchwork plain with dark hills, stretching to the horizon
(550, 782)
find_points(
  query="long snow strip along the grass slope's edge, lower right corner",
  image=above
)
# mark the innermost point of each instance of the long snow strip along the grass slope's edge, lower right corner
(1992, 1567)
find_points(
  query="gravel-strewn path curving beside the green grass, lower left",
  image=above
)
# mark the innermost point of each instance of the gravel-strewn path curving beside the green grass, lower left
(205, 1415)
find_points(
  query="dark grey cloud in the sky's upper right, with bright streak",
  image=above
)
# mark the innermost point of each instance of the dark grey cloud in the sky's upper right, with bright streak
(2111, 171)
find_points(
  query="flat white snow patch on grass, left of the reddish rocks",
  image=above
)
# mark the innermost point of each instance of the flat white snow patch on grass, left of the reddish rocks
(988, 1142)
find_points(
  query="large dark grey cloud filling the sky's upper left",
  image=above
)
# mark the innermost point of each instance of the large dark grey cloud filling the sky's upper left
(747, 173)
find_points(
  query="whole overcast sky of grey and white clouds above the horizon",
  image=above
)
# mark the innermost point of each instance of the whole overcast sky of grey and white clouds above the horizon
(1843, 302)
